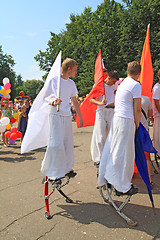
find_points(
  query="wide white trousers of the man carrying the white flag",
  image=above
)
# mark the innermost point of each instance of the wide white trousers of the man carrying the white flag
(59, 156)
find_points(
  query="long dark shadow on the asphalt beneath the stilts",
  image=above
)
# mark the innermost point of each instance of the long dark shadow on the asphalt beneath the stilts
(87, 213)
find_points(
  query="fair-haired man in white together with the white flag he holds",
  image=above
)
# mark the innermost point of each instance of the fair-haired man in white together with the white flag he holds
(52, 128)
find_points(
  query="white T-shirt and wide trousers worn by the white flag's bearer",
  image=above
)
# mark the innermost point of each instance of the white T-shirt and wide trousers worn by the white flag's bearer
(59, 157)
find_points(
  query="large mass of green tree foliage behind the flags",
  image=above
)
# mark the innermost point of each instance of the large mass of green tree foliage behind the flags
(118, 29)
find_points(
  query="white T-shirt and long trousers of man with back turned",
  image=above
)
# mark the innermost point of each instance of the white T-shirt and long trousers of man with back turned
(117, 162)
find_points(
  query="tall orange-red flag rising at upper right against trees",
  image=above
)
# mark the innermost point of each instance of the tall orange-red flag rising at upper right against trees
(146, 76)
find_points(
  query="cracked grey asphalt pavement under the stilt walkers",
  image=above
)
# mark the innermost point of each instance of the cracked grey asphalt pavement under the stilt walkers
(22, 203)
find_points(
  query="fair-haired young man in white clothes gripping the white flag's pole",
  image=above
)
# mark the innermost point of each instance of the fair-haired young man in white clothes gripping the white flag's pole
(59, 156)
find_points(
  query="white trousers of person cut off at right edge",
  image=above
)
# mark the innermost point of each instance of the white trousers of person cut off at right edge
(156, 134)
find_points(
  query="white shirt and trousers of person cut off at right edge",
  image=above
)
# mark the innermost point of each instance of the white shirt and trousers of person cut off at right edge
(156, 115)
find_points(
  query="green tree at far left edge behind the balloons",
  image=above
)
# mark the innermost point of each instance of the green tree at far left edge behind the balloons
(6, 70)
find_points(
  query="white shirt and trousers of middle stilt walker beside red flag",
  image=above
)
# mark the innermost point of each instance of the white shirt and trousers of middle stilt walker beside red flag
(102, 123)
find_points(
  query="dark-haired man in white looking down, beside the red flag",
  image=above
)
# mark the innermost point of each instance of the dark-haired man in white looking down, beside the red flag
(104, 115)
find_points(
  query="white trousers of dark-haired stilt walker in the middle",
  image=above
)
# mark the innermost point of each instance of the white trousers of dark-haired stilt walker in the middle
(100, 132)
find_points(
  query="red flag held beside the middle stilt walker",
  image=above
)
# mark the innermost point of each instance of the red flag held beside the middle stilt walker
(88, 110)
